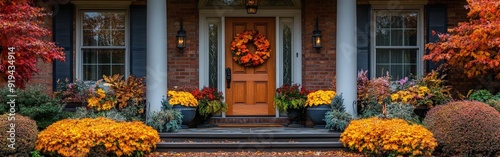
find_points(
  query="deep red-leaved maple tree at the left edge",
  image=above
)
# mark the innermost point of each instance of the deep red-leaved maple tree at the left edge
(23, 35)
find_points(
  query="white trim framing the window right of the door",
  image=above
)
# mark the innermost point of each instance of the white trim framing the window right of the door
(420, 33)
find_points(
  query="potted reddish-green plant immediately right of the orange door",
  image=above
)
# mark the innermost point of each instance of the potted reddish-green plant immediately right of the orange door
(291, 99)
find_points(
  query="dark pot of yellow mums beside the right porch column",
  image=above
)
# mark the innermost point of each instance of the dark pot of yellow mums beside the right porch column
(318, 103)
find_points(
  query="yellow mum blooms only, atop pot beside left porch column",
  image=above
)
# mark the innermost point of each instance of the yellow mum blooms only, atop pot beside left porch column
(181, 98)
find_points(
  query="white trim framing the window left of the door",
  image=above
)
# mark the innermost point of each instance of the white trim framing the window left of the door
(83, 6)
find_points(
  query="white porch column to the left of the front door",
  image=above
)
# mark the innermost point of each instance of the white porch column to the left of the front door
(156, 77)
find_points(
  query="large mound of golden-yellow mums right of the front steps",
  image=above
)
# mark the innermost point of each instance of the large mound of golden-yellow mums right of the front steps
(388, 137)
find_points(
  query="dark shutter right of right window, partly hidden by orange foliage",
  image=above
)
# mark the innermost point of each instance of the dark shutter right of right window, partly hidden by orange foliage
(436, 19)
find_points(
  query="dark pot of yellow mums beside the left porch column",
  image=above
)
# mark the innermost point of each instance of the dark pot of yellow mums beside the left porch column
(185, 103)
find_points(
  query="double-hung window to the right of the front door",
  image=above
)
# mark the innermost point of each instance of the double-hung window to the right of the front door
(397, 46)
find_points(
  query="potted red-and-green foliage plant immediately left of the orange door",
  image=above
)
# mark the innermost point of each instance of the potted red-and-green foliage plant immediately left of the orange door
(209, 103)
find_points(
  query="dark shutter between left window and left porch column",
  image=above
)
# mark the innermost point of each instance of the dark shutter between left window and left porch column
(138, 40)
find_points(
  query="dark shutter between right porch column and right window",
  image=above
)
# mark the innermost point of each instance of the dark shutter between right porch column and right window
(363, 35)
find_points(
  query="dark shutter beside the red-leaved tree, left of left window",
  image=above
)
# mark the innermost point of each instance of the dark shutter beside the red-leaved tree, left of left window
(63, 36)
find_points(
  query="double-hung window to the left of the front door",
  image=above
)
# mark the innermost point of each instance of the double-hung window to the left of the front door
(103, 44)
